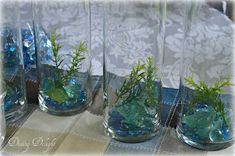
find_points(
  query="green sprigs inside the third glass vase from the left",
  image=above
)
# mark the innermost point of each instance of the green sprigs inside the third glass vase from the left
(132, 85)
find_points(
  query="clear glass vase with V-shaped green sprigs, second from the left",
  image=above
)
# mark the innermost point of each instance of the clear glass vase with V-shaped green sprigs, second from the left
(63, 44)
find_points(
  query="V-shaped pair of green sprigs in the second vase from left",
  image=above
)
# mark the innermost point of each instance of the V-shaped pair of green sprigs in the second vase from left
(76, 56)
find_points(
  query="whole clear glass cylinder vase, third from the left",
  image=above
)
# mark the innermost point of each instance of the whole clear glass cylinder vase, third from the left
(132, 69)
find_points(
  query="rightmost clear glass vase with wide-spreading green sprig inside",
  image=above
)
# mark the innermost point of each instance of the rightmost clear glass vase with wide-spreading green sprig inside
(206, 118)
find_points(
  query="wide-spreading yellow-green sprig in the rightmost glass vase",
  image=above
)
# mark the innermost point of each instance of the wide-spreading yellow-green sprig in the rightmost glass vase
(209, 95)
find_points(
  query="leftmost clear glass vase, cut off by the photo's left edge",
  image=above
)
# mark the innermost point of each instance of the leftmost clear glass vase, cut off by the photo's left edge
(12, 72)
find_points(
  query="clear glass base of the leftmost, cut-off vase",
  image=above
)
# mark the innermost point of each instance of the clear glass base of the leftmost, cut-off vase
(16, 114)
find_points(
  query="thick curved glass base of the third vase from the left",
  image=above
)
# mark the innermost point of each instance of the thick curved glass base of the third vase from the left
(131, 139)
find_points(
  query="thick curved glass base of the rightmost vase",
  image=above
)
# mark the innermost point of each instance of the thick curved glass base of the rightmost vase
(203, 146)
